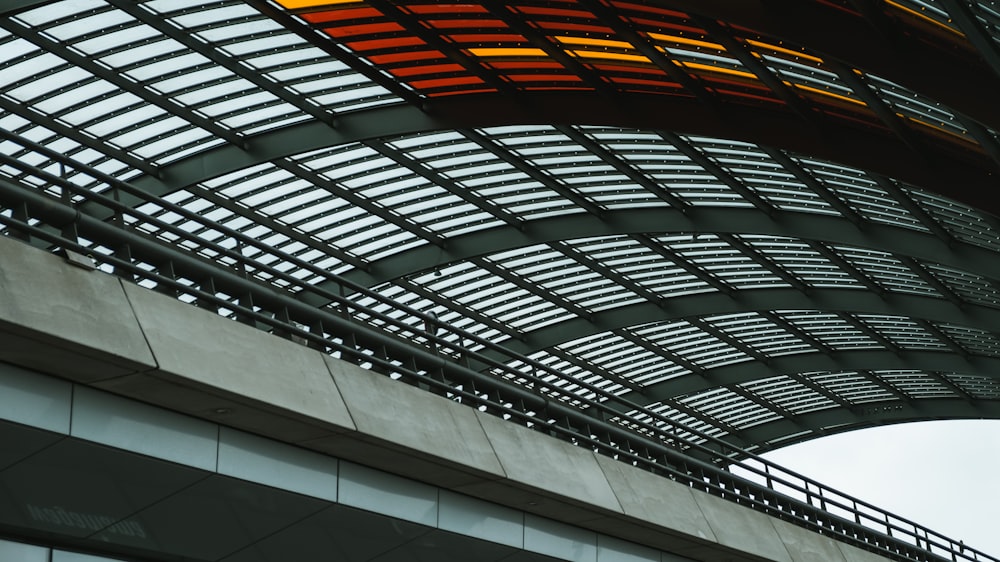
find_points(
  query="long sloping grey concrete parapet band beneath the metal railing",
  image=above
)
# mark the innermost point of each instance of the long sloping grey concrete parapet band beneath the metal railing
(96, 330)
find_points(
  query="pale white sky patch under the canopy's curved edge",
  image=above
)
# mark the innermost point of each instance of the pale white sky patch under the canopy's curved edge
(943, 475)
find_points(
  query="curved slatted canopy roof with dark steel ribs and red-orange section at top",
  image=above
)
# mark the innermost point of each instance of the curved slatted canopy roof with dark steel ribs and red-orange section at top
(722, 215)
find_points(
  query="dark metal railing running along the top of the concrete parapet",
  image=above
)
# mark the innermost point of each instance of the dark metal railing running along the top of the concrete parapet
(398, 345)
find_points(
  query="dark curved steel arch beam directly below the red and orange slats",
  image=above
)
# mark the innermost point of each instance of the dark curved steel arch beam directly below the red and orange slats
(969, 181)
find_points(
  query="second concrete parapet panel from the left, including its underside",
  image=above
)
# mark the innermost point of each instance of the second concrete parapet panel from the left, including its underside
(211, 367)
